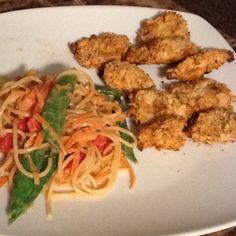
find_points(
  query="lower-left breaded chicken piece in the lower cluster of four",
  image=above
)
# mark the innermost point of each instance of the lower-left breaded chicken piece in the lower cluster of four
(163, 134)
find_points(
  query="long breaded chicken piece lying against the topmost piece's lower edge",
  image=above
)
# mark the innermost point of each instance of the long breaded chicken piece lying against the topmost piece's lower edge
(162, 51)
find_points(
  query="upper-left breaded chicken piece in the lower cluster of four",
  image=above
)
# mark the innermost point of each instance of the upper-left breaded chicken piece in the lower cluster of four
(150, 104)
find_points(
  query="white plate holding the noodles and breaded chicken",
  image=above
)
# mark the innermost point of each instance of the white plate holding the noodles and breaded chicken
(192, 191)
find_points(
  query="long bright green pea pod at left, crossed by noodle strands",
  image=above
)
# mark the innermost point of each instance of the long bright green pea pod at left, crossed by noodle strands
(25, 191)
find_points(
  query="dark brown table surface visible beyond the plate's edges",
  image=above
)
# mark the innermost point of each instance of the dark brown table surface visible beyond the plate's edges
(221, 14)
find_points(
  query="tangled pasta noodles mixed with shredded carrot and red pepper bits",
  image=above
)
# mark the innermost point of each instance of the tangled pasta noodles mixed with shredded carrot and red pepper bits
(90, 147)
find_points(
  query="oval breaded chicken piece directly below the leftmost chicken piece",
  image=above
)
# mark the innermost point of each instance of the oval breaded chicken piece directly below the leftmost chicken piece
(126, 76)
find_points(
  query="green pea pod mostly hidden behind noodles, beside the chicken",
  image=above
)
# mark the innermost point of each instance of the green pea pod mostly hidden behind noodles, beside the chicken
(117, 95)
